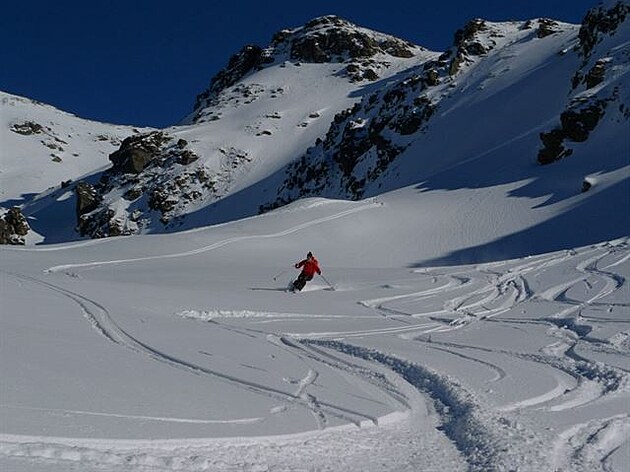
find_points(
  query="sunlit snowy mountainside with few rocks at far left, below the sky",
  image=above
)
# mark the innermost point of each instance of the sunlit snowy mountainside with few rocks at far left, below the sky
(59, 147)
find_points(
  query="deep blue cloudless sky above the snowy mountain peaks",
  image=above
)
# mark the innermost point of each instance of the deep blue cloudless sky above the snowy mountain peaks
(143, 62)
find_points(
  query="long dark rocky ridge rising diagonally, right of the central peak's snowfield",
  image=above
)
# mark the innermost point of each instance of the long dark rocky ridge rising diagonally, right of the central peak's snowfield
(364, 141)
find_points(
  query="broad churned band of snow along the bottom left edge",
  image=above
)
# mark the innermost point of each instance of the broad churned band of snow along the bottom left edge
(347, 447)
